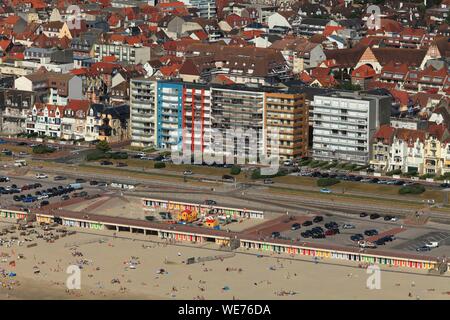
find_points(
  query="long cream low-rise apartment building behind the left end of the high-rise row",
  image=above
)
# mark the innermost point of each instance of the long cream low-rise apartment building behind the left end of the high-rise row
(132, 54)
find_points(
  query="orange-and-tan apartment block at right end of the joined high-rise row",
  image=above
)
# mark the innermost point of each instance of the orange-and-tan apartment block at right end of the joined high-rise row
(286, 115)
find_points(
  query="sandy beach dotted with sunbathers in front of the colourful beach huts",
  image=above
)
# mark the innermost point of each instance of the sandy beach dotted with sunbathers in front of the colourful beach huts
(133, 266)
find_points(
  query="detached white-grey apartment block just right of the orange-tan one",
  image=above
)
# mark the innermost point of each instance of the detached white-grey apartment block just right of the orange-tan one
(344, 124)
